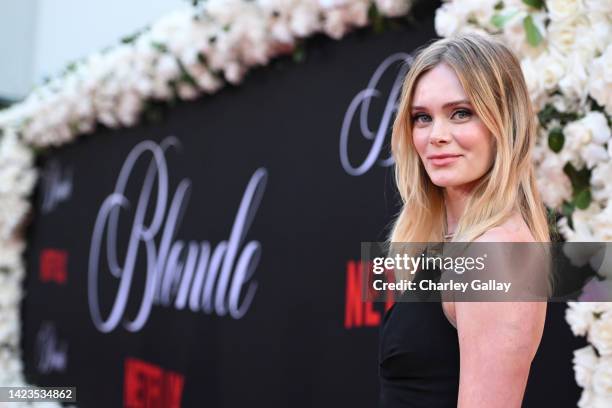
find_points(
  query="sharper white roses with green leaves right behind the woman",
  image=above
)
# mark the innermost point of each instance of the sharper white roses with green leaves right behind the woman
(565, 48)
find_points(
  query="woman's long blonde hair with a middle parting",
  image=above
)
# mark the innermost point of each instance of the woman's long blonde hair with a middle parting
(493, 81)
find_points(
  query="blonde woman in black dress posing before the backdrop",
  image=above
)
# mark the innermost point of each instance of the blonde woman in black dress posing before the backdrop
(462, 142)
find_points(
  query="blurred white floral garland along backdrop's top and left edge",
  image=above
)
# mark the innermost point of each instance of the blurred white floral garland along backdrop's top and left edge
(184, 55)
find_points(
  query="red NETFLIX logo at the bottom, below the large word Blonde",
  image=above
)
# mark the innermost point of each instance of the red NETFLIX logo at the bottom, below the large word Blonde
(149, 386)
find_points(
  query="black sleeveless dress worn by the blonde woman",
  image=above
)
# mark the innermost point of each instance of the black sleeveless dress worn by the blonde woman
(419, 353)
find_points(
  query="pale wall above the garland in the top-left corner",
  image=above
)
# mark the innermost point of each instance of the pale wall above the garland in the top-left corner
(38, 38)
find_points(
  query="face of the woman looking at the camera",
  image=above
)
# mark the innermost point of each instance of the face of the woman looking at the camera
(454, 145)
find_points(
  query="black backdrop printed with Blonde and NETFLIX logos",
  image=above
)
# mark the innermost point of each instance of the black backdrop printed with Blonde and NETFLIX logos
(294, 345)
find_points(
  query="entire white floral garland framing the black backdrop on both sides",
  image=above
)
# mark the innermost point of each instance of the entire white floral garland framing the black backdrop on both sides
(566, 56)
